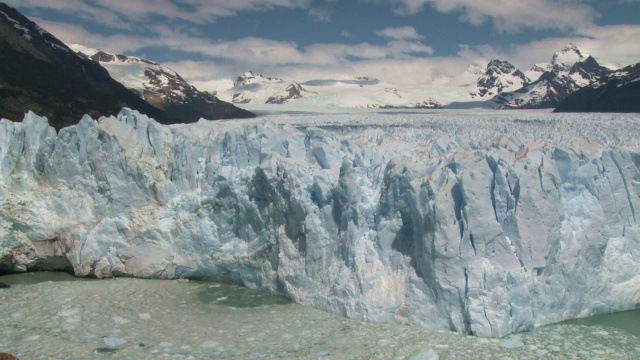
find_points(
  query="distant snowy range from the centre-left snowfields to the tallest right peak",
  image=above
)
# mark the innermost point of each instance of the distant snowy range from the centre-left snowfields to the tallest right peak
(499, 84)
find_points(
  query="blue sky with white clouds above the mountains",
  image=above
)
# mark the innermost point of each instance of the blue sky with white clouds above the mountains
(407, 42)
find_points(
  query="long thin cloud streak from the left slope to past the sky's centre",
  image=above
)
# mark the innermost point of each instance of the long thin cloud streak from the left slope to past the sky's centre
(260, 51)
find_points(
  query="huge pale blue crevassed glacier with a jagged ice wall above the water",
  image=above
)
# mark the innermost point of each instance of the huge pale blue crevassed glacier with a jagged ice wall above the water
(484, 225)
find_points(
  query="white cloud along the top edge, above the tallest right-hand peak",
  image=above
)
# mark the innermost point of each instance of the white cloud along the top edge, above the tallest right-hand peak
(511, 15)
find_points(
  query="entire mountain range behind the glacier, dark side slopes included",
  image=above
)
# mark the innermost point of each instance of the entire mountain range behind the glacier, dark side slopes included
(42, 74)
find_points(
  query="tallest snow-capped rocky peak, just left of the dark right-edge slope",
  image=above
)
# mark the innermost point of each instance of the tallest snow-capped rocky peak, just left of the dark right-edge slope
(569, 70)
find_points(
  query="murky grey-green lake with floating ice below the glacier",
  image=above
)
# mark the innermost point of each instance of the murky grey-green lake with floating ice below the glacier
(57, 316)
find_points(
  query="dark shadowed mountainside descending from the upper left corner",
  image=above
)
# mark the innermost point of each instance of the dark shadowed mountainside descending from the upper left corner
(42, 74)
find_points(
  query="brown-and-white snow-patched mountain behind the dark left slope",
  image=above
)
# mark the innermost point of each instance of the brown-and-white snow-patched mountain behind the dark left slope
(160, 86)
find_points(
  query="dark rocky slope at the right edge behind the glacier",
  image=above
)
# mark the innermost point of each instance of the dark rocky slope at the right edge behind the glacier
(618, 91)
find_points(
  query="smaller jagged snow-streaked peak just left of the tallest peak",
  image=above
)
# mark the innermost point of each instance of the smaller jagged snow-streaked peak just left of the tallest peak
(499, 76)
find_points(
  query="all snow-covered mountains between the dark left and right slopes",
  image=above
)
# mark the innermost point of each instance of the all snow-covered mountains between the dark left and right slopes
(499, 84)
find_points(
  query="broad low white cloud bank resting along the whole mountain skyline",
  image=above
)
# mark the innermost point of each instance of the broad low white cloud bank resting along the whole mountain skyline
(403, 61)
